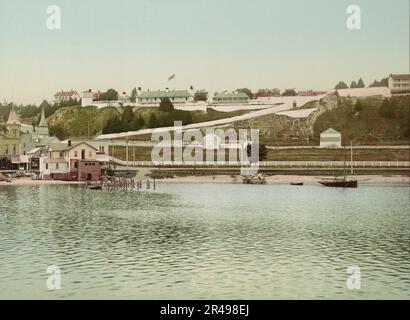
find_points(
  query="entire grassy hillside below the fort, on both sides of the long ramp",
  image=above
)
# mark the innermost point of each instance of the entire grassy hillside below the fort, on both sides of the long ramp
(371, 121)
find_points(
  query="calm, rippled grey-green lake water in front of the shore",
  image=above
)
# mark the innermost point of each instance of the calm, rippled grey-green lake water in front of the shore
(205, 241)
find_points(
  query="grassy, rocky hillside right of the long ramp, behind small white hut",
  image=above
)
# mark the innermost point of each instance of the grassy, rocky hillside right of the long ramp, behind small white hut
(364, 122)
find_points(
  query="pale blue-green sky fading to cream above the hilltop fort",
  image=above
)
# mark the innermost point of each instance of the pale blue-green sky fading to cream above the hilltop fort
(212, 44)
